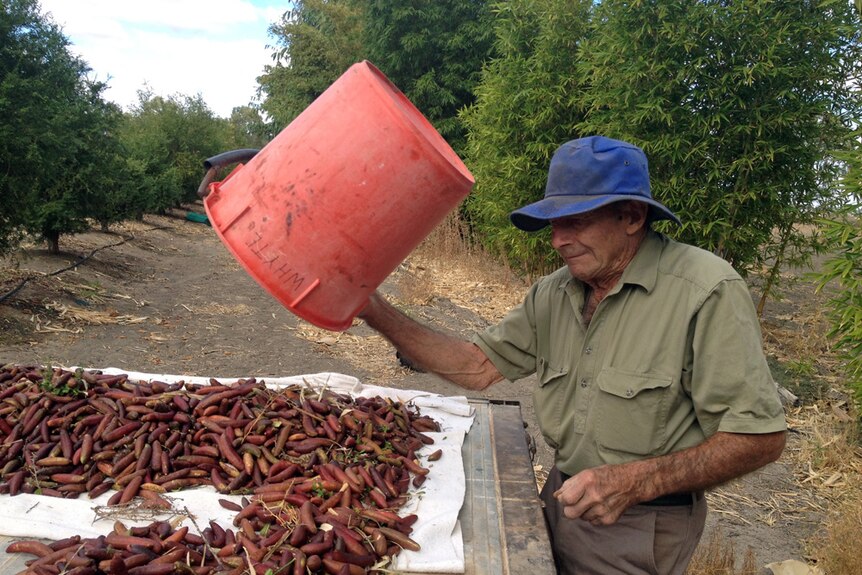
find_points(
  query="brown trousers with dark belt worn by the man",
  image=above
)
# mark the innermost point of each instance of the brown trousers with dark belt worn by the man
(646, 540)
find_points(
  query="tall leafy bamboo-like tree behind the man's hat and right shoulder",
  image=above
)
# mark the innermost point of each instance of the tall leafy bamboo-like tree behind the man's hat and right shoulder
(737, 105)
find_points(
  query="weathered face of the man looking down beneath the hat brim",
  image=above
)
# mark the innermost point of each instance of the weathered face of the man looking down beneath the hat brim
(596, 246)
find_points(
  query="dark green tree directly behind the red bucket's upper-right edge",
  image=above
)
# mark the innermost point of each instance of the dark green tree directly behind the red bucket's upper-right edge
(433, 50)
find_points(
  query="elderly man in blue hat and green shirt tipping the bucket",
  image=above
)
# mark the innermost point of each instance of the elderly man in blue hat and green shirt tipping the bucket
(652, 382)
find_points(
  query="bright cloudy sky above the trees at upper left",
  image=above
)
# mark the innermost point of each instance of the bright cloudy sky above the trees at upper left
(215, 48)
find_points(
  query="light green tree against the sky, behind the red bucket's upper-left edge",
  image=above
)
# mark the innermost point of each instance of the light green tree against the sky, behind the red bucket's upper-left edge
(315, 43)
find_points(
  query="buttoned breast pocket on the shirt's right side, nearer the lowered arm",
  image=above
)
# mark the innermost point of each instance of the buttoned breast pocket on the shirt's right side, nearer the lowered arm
(631, 414)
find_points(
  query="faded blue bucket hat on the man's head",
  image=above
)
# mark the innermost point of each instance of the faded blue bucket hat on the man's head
(589, 173)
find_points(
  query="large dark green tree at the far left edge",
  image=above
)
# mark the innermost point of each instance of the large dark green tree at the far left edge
(55, 131)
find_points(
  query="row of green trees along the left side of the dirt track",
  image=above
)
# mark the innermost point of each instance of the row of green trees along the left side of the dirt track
(68, 157)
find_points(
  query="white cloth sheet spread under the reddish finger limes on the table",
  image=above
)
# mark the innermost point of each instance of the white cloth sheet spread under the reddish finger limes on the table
(437, 503)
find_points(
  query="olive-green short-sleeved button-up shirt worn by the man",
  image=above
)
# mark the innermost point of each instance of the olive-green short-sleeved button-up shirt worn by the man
(672, 355)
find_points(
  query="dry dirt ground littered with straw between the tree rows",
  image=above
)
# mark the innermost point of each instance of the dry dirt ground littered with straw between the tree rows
(167, 297)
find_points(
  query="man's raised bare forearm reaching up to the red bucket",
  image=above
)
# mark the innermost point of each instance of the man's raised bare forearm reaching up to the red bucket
(459, 361)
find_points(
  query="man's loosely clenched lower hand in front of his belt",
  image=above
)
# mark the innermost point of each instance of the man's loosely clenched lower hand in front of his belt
(598, 495)
